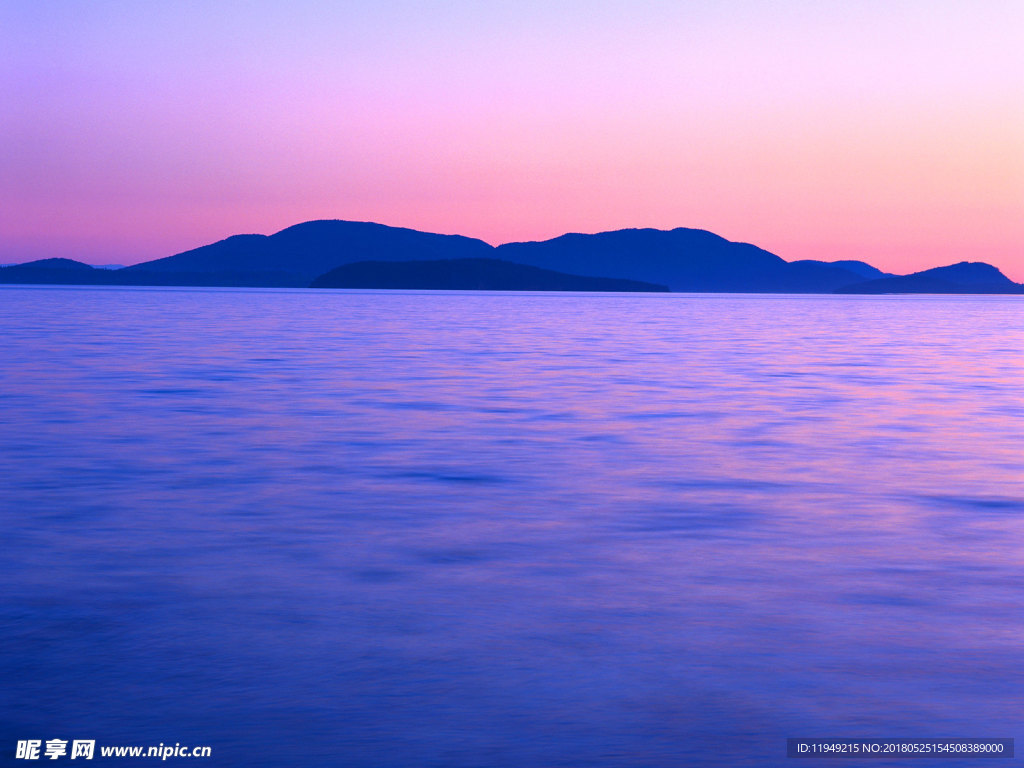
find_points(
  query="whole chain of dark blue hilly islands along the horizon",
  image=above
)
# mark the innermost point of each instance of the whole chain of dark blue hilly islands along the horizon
(358, 254)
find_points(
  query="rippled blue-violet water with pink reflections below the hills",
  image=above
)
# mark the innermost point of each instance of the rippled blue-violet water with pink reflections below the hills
(354, 529)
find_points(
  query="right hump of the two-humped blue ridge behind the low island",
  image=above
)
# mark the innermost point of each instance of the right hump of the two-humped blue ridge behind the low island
(684, 260)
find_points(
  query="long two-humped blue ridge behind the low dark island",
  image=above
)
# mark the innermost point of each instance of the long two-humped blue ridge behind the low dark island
(682, 260)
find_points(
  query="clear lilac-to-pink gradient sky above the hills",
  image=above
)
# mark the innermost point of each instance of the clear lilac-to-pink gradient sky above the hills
(889, 132)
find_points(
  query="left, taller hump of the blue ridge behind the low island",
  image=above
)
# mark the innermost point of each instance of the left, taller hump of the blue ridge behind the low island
(296, 255)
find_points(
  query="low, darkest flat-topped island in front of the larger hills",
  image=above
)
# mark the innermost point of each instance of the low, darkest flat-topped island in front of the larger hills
(468, 275)
